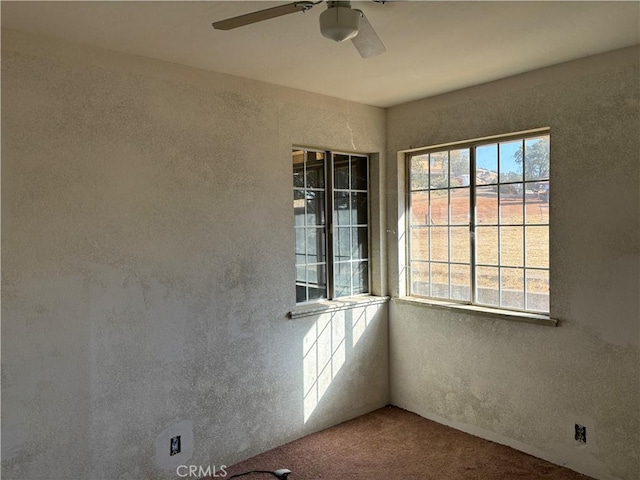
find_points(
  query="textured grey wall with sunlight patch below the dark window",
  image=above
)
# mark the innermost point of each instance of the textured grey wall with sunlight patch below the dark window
(147, 267)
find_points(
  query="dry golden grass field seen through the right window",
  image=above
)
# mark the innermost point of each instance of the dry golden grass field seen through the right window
(512, 232)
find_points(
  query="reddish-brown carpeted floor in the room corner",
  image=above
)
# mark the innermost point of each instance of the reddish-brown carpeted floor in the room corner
(393, 444)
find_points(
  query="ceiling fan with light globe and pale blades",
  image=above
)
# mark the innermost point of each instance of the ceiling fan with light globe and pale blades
(338, 22)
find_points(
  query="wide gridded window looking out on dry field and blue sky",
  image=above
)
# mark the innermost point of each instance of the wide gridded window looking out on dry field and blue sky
(479, 223)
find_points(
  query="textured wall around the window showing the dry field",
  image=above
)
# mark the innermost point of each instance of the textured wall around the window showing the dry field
(528, 385)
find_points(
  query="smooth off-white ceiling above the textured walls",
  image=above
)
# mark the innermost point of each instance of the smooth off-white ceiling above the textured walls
(432, 46)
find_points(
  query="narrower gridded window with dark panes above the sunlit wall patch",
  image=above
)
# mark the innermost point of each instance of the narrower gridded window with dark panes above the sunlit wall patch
(330, 203)
